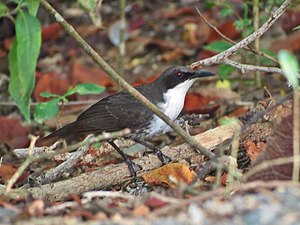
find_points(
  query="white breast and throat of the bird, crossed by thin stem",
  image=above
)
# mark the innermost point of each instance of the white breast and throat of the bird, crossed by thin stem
(172, 106)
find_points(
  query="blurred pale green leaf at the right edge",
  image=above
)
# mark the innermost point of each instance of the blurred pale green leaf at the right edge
(289, 65)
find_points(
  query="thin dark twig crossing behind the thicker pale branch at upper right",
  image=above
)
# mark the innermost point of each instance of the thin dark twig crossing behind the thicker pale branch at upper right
(248, 48)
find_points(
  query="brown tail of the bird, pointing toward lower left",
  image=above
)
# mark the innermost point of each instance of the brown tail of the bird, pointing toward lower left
(64, 132)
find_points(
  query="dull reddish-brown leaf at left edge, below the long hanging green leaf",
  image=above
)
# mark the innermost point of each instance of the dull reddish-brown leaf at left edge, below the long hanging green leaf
(13, 133)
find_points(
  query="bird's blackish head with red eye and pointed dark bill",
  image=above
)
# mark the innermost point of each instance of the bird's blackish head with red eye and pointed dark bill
(180, 77)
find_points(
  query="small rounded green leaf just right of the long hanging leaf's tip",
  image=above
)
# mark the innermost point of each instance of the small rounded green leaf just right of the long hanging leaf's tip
(46, 110)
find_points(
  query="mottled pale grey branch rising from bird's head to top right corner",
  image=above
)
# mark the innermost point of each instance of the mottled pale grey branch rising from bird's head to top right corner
(223, 56)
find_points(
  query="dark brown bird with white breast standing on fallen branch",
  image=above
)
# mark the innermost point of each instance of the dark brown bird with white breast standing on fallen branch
(121, 110)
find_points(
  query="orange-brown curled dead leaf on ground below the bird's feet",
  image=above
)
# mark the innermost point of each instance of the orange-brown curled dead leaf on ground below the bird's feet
(179, 171)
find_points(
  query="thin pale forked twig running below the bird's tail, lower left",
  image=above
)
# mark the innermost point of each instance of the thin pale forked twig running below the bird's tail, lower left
(33, 158)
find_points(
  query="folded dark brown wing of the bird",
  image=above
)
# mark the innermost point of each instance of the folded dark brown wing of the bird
(113, 113)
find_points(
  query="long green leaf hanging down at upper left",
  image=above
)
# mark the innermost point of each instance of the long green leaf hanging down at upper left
(22, 60)
